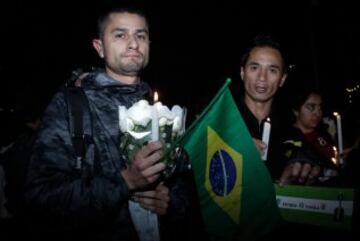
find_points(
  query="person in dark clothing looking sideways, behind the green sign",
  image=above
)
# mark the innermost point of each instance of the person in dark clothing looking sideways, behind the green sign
(307, 140)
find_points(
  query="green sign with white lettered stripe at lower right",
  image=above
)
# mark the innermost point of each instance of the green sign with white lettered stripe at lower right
(323, 206)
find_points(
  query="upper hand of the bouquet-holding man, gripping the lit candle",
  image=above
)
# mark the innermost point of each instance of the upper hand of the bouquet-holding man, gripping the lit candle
(145, 169)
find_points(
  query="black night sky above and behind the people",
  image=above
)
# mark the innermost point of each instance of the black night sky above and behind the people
(195, 47)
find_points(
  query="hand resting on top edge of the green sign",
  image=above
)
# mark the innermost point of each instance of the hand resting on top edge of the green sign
(302, 173)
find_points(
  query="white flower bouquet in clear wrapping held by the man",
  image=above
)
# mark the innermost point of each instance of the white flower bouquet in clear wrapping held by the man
(143, 122)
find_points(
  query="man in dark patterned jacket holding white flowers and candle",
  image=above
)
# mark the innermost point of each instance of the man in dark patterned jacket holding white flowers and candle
(91, 202)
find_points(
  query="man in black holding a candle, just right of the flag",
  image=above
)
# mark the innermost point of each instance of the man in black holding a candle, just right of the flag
(263, 71)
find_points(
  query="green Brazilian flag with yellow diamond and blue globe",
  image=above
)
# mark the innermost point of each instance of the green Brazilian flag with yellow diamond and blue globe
(235, 190)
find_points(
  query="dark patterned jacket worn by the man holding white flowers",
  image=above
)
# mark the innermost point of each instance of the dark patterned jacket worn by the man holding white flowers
(67, 202)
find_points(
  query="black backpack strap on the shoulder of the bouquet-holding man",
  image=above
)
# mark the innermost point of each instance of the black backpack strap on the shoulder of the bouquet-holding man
(79, 113)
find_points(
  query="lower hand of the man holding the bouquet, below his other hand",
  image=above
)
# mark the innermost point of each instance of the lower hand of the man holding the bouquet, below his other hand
(155, 200)
